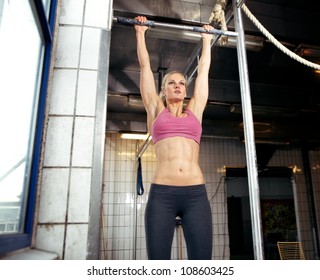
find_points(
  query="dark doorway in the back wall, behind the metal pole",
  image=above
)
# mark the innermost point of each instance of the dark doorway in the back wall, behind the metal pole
(277, 211)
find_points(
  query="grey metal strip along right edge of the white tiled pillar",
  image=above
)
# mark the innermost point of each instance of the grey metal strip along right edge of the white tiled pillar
(94, 225)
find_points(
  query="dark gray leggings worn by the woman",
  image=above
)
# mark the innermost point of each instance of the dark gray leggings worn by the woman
(191, 204)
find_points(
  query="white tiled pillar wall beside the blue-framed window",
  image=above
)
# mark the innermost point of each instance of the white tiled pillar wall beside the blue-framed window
(66, 182)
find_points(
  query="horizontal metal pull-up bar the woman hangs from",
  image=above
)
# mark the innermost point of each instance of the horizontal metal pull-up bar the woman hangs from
(151, 23)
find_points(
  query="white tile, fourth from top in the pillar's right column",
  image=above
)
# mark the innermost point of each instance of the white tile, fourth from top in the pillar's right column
(83, 142)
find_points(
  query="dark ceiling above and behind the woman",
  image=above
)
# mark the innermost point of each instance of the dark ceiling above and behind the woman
(285, 94)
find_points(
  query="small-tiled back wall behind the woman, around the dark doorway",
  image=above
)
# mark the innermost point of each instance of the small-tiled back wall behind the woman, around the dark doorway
(118, 237)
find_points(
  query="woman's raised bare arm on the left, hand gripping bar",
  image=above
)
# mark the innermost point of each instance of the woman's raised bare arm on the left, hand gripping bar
(148, 90)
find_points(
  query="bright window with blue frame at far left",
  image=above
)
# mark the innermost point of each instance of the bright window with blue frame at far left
(25, 36)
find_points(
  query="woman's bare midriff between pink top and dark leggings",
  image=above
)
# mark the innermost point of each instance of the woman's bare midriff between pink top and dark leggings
(177, 162)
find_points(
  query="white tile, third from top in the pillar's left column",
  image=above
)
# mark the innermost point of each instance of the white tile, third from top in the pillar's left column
(63, 92)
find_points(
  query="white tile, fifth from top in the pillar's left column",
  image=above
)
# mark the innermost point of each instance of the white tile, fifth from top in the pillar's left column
(53, 195)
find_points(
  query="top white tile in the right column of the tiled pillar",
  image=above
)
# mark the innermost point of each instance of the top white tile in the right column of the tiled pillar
(97, 13)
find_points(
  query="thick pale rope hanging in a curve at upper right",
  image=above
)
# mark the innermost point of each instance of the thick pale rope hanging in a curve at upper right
(276, 42)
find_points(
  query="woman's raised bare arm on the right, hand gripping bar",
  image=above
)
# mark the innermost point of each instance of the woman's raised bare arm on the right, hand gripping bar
(199, 99)
